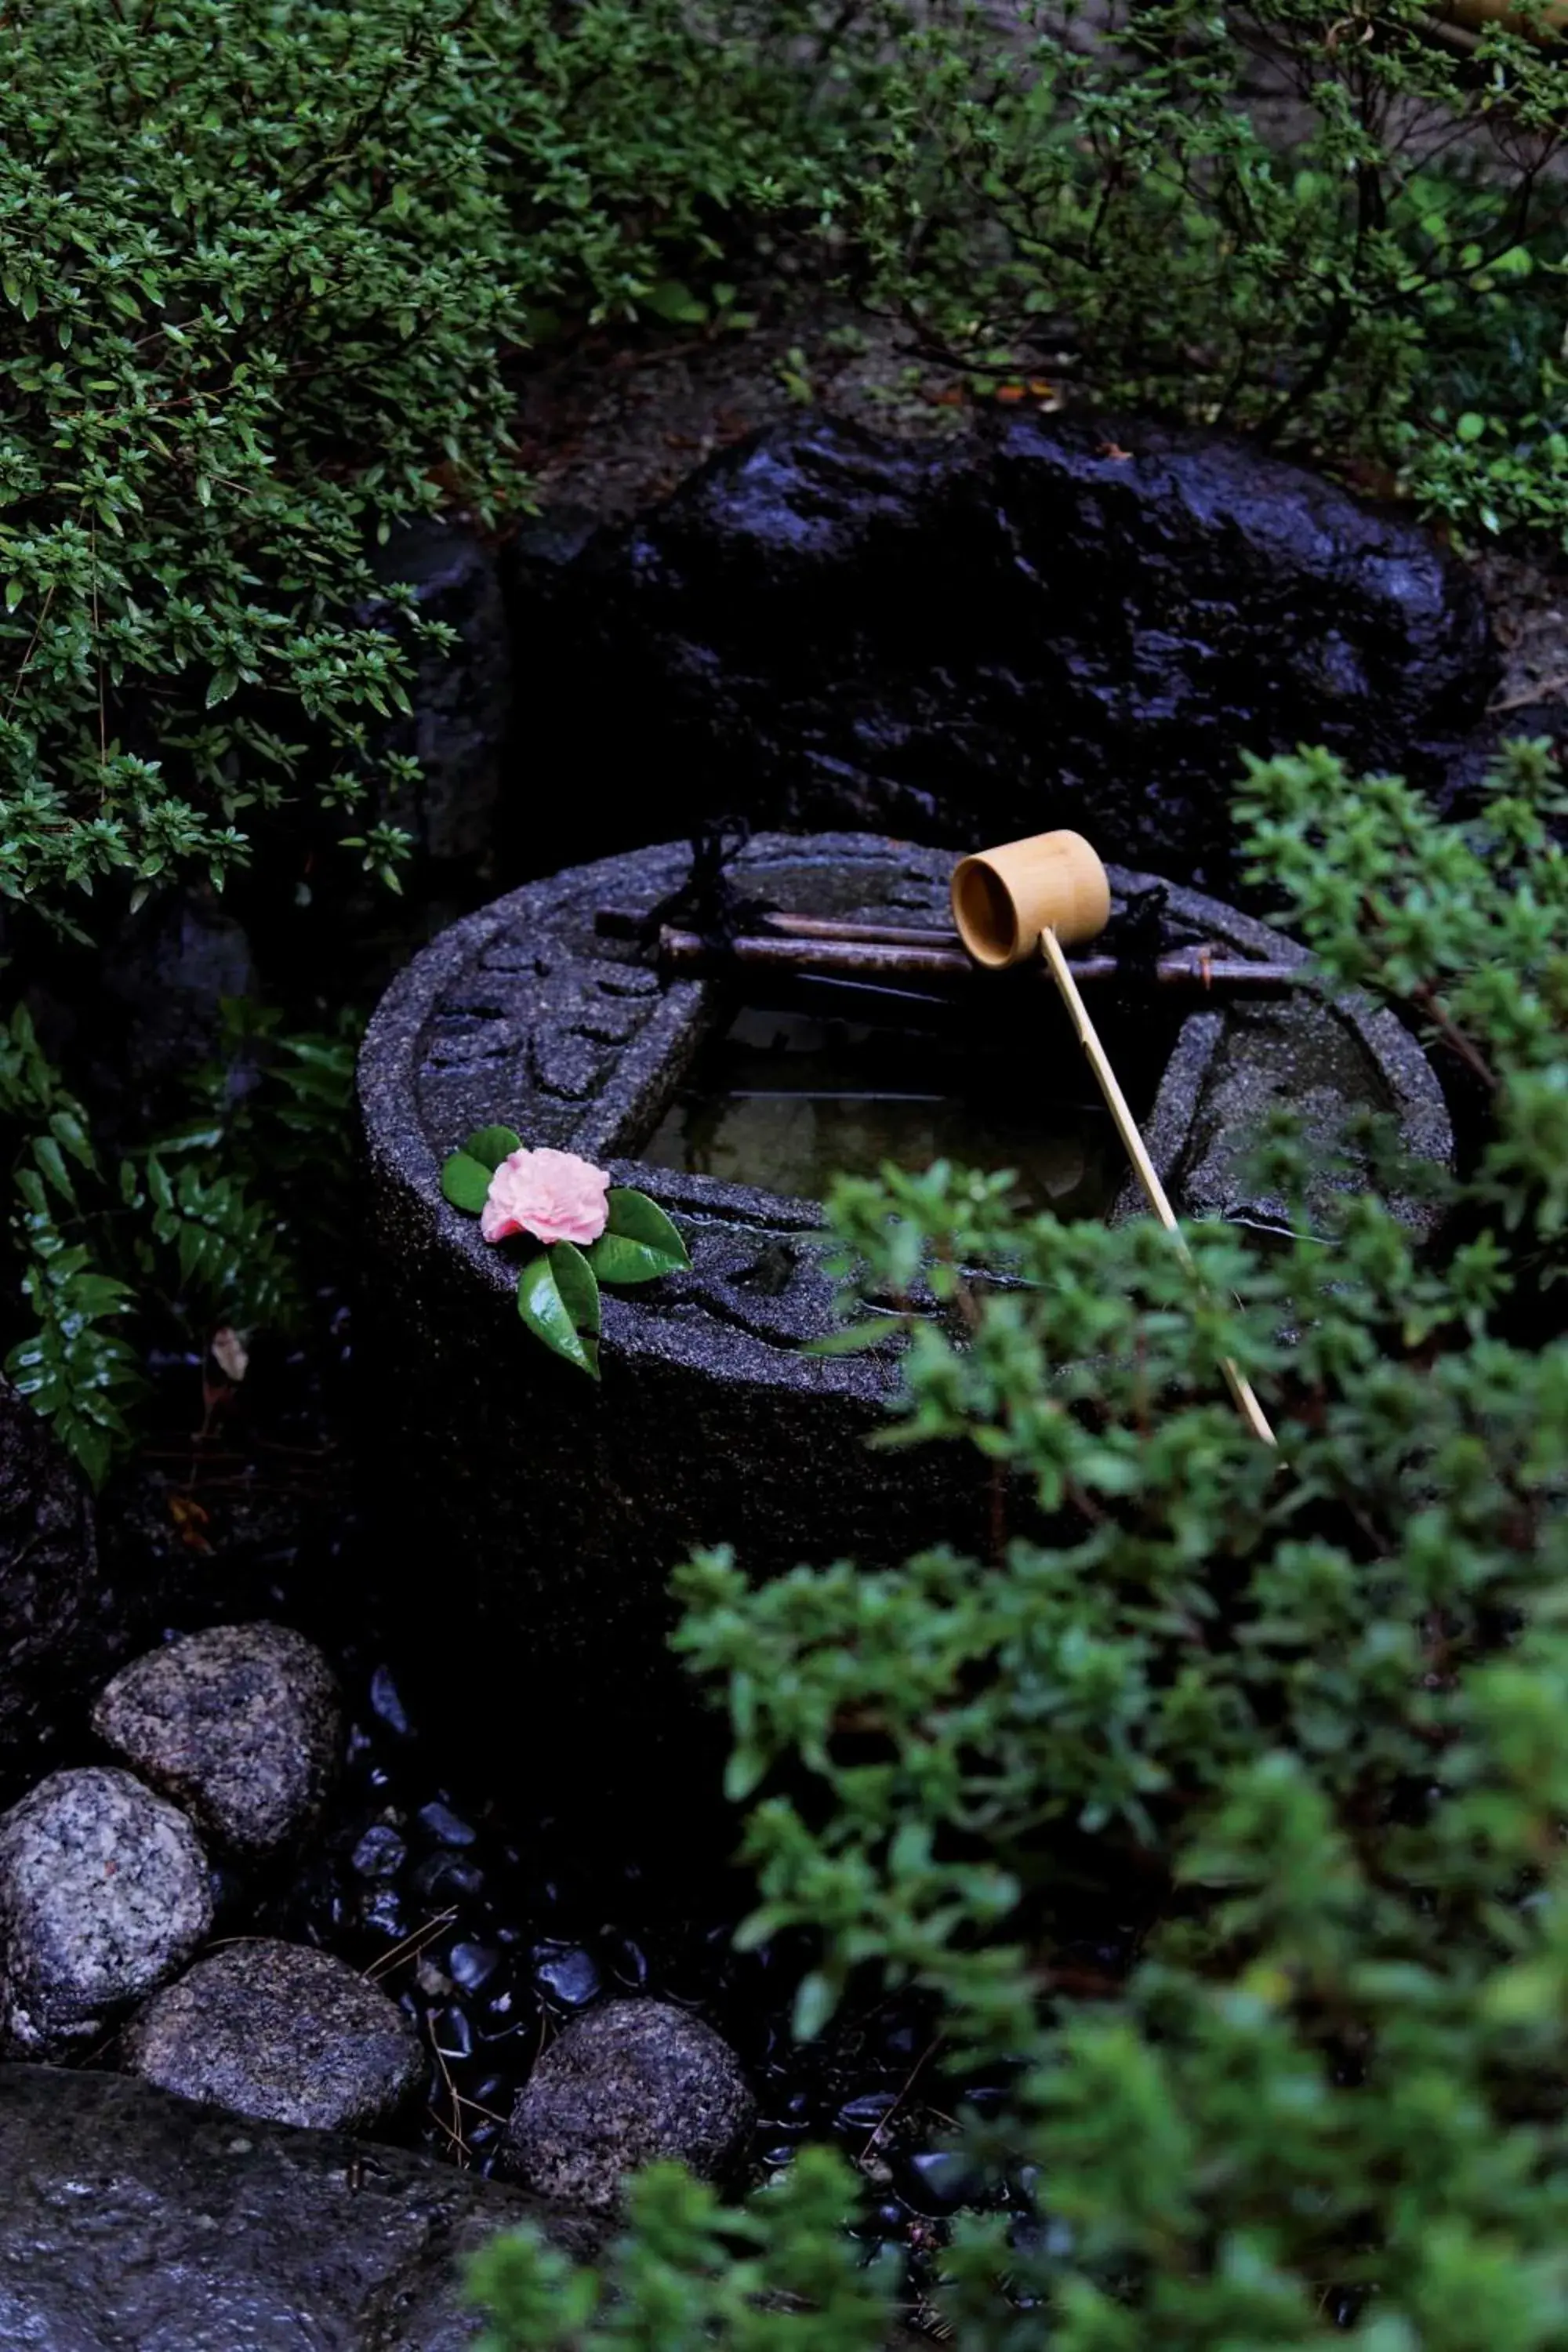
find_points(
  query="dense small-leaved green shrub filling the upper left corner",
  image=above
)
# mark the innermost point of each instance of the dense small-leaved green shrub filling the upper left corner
(260, 267)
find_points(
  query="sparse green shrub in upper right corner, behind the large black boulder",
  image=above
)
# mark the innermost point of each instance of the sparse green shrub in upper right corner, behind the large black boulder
(1320, 227)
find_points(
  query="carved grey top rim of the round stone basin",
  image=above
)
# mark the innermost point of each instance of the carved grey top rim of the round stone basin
(523, 1015)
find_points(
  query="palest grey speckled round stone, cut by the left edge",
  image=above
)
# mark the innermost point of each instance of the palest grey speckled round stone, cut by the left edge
(105, 1895)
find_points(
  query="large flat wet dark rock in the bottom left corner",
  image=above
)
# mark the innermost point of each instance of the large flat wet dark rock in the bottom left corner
(138, 2221)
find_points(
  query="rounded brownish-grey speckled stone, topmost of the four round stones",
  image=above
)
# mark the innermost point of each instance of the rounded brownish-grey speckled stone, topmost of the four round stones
(239, 1723)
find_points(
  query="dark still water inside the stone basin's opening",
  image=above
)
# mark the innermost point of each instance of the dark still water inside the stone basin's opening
(786, 1102)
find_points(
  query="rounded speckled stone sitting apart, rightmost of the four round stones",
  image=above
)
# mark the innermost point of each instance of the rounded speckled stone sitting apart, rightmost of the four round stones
(626, 2085)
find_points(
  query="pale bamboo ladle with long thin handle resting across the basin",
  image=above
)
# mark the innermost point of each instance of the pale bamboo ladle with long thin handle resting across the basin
(1040, 897)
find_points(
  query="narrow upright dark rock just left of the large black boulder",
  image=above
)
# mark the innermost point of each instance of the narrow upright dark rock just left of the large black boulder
(464, 697)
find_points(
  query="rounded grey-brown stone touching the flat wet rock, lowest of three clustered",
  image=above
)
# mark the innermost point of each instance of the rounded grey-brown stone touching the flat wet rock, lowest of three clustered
(281, 2033)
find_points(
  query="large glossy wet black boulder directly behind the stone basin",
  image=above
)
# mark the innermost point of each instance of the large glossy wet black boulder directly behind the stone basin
(1026, 629)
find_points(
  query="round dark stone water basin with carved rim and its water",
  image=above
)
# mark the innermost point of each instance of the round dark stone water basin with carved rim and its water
(565, 1506)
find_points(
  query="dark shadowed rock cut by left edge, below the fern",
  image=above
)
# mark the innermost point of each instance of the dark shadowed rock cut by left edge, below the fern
(51, 1586)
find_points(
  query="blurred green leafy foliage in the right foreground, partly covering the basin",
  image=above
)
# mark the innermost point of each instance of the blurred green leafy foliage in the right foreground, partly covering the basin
(1304, 1723)
